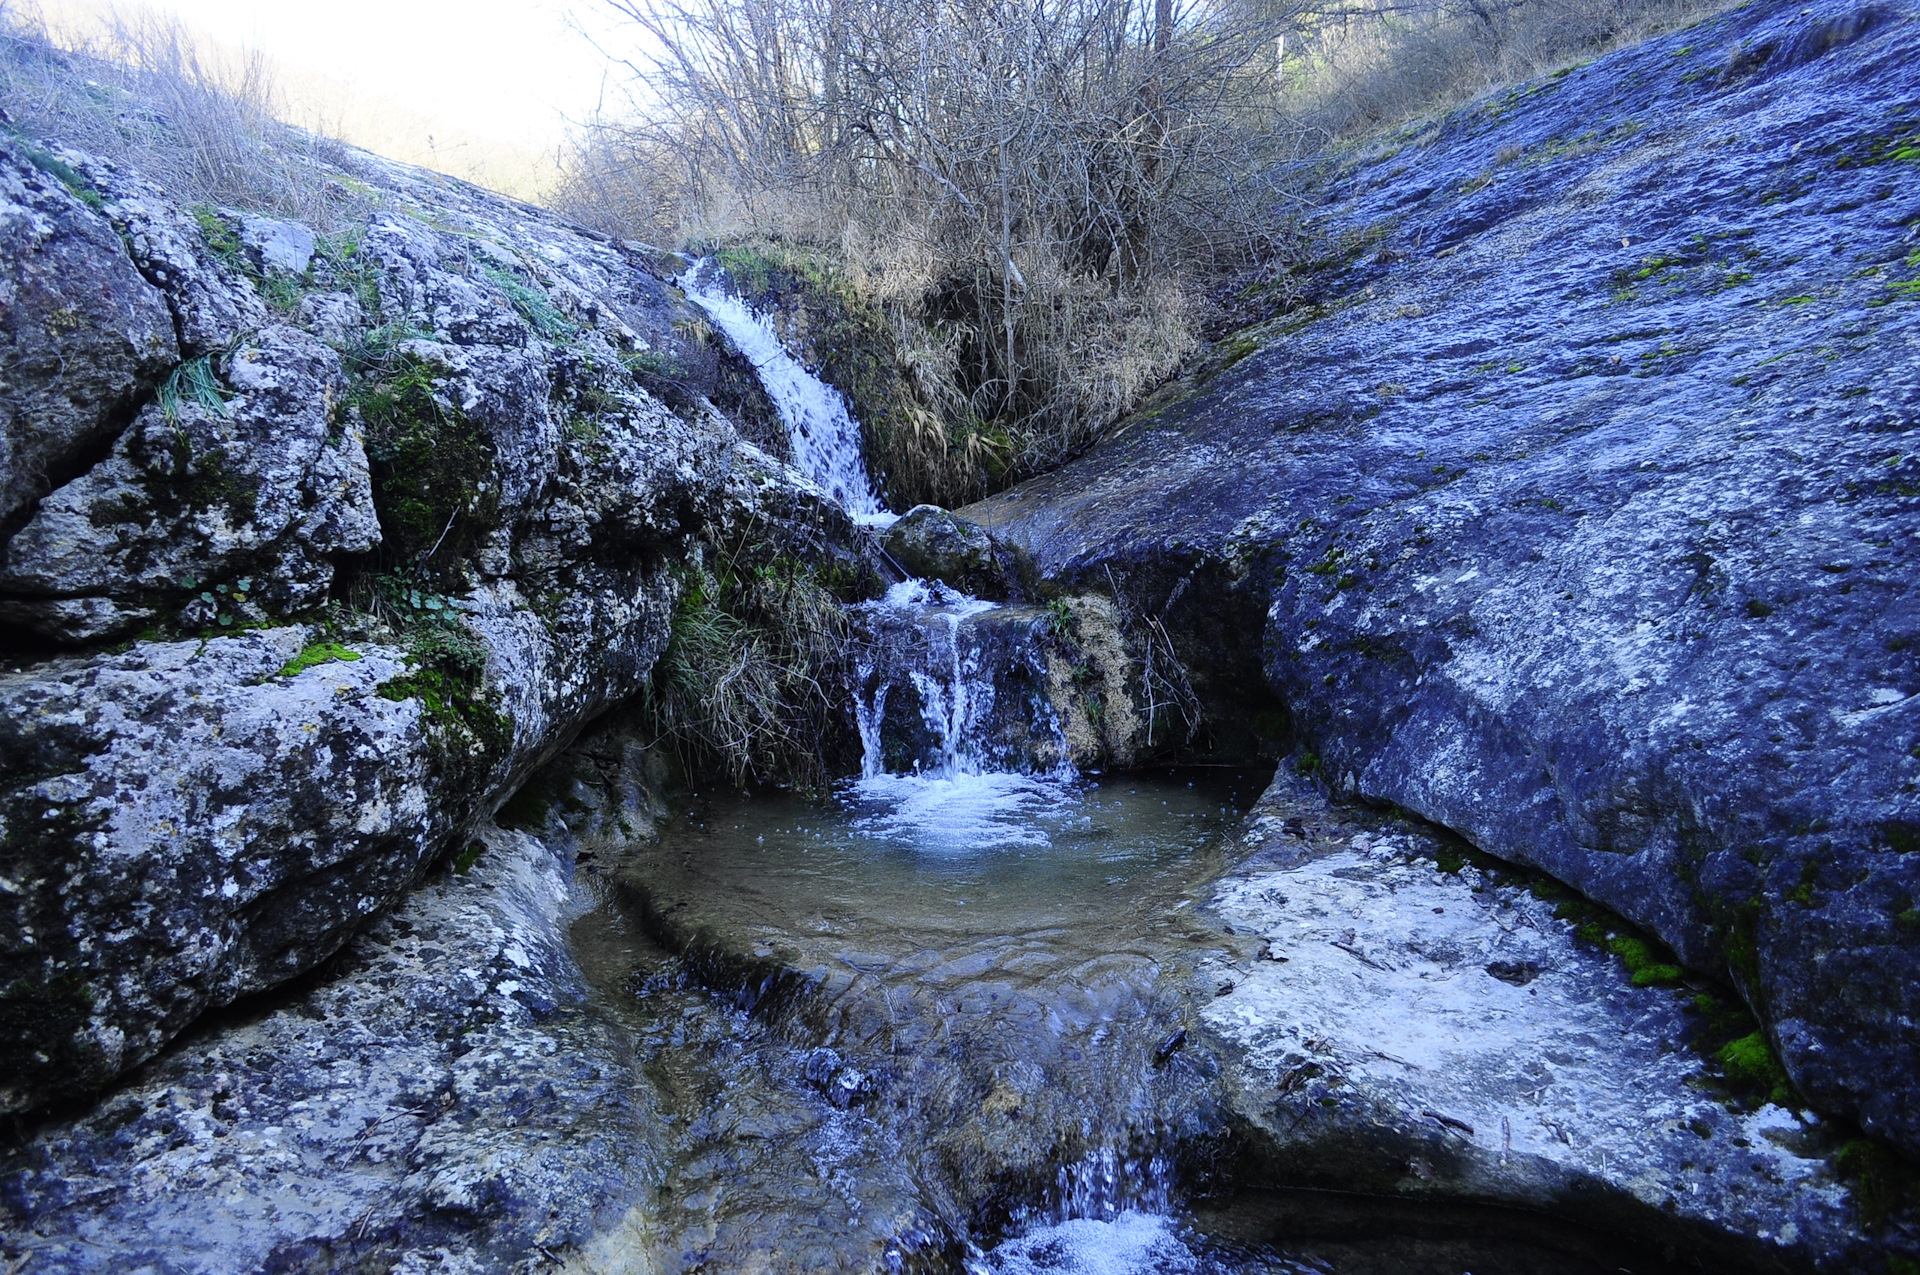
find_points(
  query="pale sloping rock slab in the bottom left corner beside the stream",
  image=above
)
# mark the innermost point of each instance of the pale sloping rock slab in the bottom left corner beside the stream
(444, 1099)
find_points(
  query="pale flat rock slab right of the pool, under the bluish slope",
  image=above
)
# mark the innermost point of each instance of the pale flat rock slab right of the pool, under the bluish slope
(1403, 1030)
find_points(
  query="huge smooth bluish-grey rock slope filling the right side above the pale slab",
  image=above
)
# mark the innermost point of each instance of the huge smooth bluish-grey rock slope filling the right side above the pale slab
(1579, 510)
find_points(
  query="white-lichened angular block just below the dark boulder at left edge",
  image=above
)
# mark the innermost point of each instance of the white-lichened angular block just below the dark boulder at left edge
(260, 494)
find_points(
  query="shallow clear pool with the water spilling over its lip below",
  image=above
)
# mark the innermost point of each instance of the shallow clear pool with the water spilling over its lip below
(894, 1028)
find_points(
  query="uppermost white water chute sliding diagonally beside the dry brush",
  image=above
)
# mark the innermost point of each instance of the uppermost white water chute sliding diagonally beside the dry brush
(823, 433)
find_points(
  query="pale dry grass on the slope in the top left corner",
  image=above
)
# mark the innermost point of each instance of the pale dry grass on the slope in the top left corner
(151, 97)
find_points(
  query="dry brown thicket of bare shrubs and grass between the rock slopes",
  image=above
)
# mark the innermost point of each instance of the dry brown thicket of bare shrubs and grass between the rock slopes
(1045, 199)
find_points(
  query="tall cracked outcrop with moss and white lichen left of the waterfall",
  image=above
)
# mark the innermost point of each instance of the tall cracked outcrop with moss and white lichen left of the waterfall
(393, 531)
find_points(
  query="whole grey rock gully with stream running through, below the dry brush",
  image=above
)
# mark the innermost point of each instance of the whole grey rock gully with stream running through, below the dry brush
(358, 919)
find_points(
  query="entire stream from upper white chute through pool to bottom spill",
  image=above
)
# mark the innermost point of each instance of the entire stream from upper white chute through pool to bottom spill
(971, 919)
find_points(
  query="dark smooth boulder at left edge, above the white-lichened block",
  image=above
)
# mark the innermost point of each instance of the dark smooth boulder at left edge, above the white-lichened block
(82, 333)
